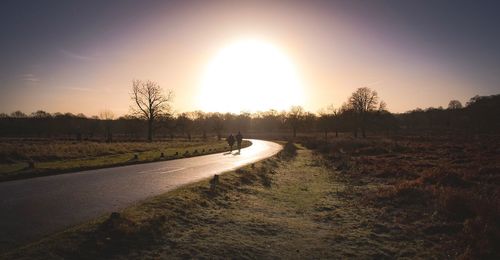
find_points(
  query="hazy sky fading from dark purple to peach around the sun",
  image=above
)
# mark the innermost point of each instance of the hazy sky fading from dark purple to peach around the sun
(81, 56)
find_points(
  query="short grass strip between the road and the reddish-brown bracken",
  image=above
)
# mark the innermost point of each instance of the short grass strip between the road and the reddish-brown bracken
(284, 207)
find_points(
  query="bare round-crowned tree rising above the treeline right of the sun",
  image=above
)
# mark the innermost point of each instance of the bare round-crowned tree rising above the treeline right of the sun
(363, 101)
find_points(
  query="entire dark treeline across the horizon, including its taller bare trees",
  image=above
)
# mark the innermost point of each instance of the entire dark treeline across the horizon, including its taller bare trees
(363, 113)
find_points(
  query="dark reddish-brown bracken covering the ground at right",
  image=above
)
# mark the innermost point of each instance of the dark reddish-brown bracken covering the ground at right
(445, 189)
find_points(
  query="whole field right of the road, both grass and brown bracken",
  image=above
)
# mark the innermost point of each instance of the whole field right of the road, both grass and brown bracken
(373, 198)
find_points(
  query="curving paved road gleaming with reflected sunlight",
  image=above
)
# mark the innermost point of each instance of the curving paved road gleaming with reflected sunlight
(35, 207)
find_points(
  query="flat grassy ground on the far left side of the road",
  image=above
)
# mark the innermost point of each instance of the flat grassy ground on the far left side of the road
(54, 157)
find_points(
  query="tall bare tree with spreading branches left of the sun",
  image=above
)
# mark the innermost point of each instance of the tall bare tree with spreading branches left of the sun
(150, 102)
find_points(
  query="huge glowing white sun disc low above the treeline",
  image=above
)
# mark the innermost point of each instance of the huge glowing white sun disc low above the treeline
(249, 75)
